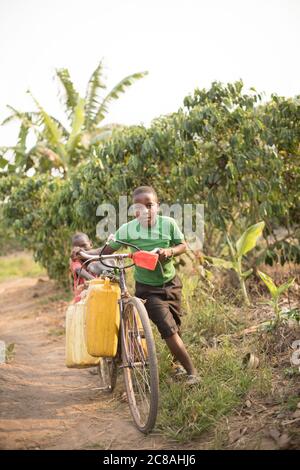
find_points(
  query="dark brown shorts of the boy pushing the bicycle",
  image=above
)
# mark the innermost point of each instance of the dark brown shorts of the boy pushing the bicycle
(163, 304)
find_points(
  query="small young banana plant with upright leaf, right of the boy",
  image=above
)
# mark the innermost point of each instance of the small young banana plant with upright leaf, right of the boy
(237, 251)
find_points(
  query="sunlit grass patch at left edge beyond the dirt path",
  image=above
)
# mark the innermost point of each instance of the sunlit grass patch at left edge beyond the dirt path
(19, 265)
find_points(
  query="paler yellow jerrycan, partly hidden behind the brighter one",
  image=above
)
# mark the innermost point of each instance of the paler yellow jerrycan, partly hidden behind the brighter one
(76, 352)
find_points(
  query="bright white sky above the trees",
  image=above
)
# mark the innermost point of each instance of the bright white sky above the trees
(182, 43)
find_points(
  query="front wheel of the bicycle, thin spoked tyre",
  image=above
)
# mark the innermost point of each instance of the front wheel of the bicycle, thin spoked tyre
(140, 365)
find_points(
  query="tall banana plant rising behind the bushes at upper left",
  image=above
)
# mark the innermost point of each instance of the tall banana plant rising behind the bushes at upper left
(58, 146)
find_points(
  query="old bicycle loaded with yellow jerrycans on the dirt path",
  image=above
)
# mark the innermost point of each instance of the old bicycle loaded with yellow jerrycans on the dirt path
(136, 352)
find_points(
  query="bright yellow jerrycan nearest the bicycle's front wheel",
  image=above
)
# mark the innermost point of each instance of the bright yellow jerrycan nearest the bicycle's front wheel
(102, 317)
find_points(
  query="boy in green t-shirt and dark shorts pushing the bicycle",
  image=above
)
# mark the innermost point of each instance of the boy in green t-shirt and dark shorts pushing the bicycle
(162, 287)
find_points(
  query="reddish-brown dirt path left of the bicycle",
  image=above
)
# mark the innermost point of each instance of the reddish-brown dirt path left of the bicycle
(44, 405)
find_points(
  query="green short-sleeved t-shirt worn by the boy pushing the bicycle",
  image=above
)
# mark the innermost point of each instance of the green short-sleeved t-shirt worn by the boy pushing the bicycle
(164, 234)
